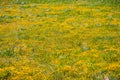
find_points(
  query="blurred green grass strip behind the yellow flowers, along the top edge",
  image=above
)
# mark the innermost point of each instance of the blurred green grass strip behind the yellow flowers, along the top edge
(108, 2)
